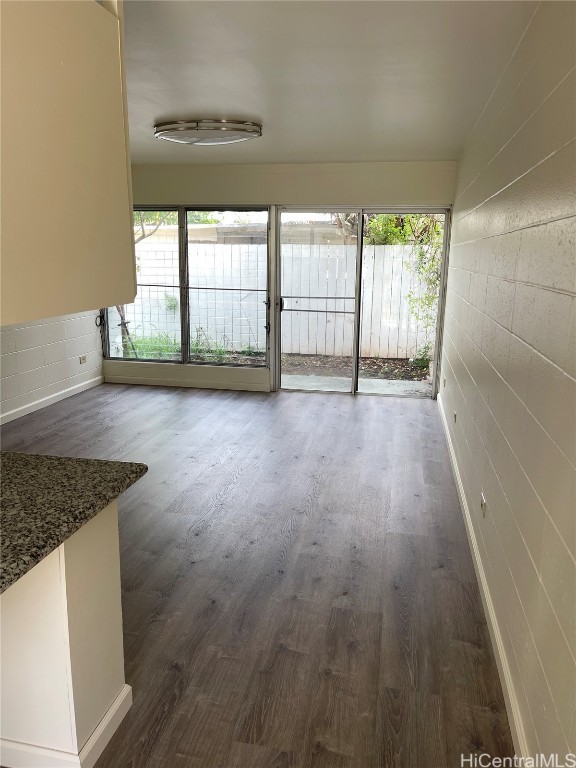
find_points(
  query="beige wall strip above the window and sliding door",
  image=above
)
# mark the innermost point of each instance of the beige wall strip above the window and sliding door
(386, 184)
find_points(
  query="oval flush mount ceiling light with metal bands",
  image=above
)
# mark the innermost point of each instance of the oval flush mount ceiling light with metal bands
(207, 132)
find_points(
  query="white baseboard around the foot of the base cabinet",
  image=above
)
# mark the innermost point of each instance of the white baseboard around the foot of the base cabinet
(14, 754)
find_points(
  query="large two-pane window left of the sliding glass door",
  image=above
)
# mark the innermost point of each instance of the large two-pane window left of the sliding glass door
(202, 289)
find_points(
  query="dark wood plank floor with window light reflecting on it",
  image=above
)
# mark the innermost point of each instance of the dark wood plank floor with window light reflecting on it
(297, 586)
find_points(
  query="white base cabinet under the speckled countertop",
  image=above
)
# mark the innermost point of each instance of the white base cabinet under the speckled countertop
(63, 692)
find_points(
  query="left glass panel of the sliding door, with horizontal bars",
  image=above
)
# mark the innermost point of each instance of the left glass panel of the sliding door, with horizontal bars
(318, 290)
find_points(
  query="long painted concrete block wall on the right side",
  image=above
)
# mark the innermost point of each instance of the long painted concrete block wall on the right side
(509, 364)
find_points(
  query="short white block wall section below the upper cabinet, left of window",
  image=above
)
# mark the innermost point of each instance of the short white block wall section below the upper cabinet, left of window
(40, 362)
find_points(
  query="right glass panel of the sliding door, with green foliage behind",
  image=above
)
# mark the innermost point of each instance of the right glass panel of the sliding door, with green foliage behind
(401, 267)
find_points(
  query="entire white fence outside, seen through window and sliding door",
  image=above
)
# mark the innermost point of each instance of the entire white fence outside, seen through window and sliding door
(227, 302)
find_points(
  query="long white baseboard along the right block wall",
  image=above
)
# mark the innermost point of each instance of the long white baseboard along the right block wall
(512, 707)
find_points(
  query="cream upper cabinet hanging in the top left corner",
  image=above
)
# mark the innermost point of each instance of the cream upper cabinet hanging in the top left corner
(67, 241)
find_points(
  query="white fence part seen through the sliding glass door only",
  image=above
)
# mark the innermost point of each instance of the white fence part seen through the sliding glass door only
(328, 272)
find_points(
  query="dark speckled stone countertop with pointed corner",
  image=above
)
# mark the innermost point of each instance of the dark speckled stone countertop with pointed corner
(45, 499)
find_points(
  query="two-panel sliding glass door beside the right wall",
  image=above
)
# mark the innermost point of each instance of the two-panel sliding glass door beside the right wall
(361, 314)
